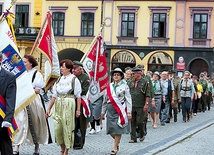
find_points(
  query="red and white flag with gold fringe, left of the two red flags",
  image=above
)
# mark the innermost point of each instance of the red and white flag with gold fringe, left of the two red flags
(47, 46)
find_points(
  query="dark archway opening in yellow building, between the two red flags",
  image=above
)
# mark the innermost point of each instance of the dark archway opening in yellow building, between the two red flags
(71, 53)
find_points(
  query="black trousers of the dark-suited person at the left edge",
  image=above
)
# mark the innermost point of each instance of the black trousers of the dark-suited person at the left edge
(5, 141)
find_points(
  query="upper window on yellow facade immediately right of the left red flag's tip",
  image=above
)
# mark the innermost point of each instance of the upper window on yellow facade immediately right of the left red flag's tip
(58, 21)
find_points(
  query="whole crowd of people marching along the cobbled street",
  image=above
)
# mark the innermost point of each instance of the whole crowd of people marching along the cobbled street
(129, 101)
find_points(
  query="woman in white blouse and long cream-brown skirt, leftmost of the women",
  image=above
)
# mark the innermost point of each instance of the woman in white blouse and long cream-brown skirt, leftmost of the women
(33, 128)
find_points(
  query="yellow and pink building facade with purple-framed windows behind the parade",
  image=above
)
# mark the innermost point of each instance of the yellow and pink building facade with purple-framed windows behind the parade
(161, 35)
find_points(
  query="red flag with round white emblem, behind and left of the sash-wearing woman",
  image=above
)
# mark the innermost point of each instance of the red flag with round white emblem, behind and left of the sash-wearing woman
(96, 66)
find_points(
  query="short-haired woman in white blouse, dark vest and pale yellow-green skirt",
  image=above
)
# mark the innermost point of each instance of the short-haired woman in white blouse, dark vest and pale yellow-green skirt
(65, 90)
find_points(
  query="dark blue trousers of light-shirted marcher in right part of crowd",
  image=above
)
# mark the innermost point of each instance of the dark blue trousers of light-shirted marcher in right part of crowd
(186, 103)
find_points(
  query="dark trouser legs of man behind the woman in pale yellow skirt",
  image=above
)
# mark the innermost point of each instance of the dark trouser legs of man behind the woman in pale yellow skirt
(77, 135)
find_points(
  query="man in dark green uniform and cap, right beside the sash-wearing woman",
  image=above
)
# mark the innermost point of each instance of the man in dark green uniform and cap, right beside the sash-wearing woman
(140, 93)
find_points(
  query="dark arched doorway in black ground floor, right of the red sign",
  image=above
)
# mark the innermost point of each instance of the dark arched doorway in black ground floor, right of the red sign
(197, 66)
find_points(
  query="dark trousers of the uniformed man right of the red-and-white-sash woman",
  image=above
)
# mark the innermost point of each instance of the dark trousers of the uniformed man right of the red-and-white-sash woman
(138, 121)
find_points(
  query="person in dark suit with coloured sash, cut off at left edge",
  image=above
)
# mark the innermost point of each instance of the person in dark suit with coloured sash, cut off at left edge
(7, 107)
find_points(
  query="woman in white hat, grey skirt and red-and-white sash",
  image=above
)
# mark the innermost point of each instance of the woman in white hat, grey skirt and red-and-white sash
(117, 103)
